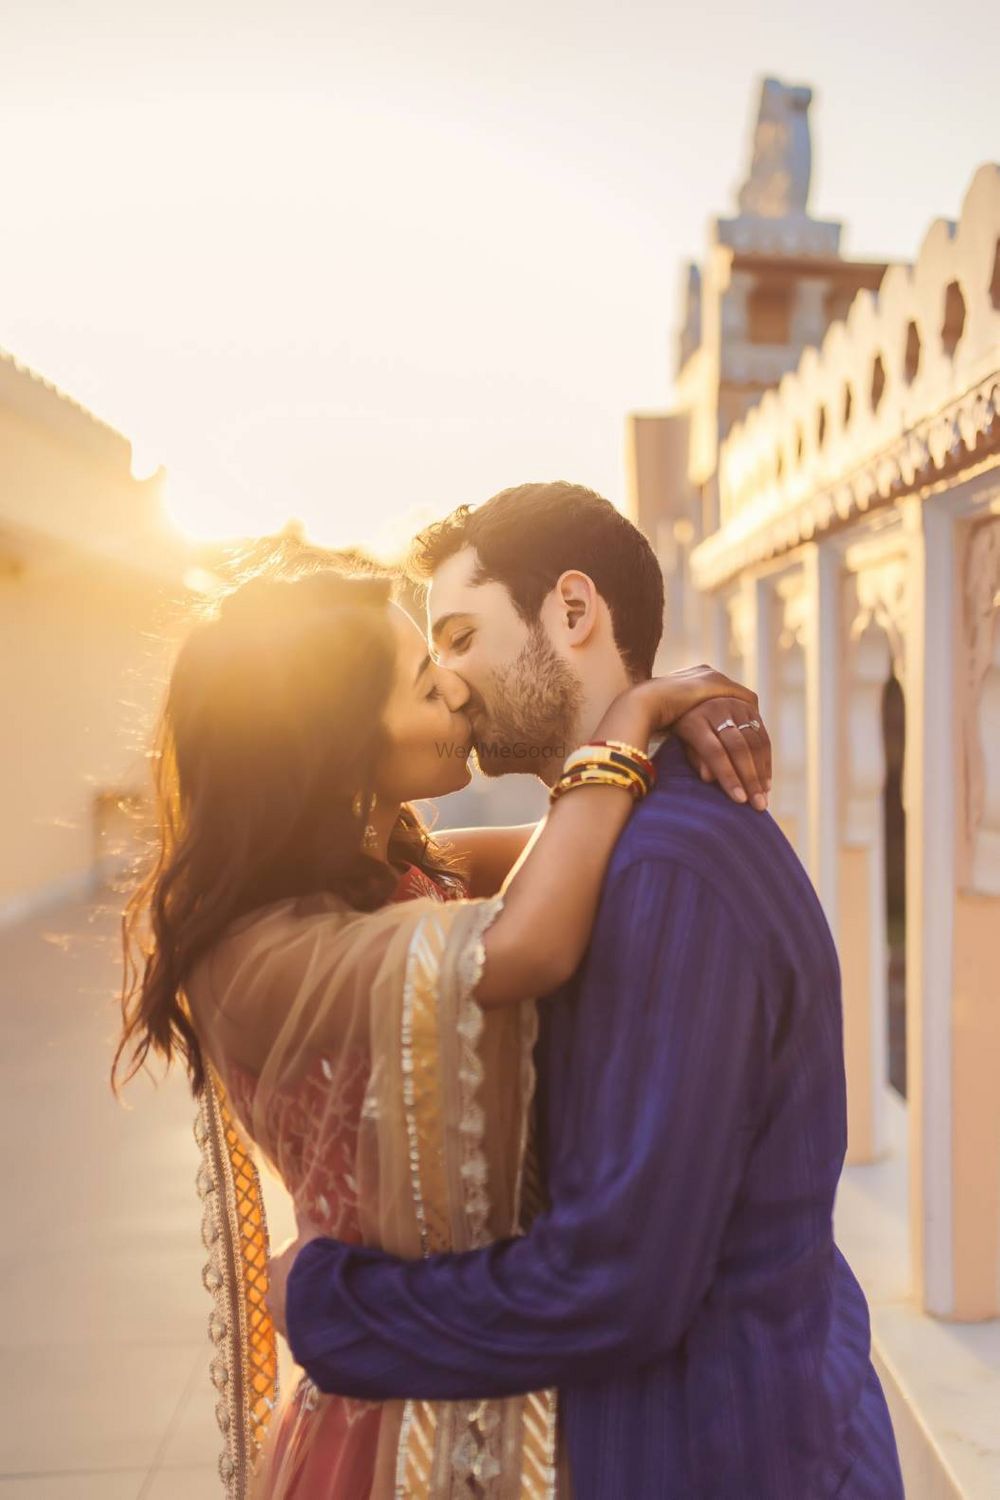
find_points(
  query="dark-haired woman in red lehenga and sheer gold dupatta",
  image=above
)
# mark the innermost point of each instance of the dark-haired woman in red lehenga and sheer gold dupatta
(356, 997)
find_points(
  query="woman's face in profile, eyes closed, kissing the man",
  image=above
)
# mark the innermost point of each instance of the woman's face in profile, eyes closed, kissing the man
(430, 739)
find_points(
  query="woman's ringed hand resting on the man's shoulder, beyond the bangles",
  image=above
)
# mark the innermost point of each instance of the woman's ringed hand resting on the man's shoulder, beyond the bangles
(717, 721)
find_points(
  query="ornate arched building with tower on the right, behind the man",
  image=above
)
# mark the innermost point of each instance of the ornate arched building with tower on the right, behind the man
(828, 517)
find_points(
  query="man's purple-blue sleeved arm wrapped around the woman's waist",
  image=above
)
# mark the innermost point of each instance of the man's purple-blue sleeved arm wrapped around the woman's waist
(614, 1273)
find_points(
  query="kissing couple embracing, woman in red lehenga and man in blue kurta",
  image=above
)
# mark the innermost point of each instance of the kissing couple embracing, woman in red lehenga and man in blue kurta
(561, 1109)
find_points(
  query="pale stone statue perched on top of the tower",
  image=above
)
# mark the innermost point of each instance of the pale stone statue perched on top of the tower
(782, 163)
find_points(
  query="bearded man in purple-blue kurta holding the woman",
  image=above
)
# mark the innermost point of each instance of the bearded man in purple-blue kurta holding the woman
(683, 1291)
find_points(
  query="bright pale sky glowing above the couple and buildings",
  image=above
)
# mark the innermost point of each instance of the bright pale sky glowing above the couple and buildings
(359, 263)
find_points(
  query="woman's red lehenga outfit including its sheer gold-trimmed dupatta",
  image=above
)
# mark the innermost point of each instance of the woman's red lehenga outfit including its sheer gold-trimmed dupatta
(397, 1114)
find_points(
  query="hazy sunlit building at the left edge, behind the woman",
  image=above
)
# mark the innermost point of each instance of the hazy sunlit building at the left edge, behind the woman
(91, 590)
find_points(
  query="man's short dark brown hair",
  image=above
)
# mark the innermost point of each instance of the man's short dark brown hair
(528, 536)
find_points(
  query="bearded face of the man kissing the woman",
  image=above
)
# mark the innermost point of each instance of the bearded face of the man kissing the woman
(524, 697)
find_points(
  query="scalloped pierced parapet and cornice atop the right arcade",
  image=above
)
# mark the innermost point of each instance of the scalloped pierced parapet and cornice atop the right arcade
(903, 395)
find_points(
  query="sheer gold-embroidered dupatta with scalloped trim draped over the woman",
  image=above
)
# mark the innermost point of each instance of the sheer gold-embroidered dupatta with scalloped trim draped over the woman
(439, 1162)
